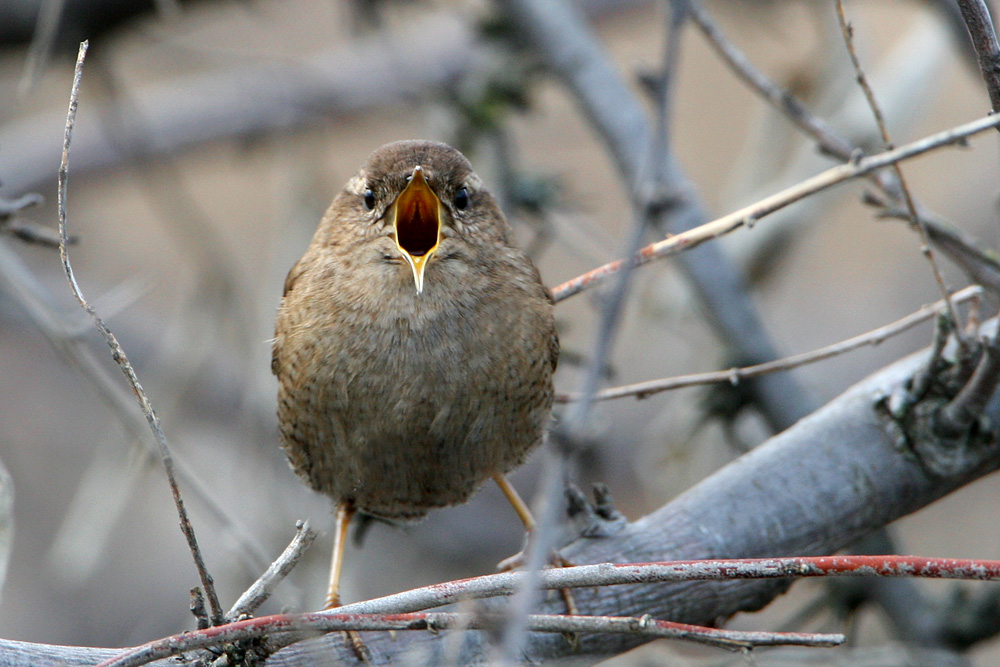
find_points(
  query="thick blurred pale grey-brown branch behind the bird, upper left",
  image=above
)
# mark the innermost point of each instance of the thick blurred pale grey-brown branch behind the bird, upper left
(254, 99)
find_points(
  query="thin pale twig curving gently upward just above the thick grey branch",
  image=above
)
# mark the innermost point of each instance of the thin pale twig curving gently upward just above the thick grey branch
(735, 375)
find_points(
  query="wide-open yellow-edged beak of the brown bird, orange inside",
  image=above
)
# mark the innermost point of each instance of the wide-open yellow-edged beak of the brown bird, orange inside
(417, 221)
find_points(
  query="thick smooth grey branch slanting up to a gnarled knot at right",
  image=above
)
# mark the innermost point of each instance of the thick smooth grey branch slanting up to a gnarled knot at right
(747, 509)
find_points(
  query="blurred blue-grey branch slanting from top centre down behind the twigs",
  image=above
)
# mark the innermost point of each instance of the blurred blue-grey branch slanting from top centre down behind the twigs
(559, 32)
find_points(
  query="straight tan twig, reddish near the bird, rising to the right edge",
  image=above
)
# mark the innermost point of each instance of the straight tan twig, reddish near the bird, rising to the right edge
(749, 215)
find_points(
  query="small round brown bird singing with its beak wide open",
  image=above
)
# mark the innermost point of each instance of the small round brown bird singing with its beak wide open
(415, 344)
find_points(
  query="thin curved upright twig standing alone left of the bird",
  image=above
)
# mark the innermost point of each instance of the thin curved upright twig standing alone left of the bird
(118, 354)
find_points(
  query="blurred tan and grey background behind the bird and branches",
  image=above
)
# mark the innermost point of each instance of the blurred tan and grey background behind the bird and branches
(211, 136)
